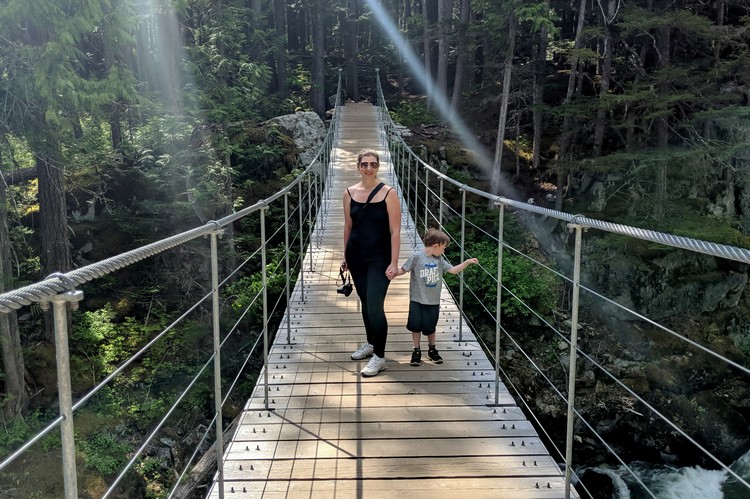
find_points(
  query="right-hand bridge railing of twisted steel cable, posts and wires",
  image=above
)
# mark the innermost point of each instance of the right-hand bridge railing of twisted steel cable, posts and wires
(435, 199)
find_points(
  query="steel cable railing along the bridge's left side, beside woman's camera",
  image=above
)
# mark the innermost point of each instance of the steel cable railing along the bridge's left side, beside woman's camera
(286, 222)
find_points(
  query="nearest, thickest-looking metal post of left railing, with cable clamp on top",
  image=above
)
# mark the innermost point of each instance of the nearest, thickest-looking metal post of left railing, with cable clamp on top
(60, 317)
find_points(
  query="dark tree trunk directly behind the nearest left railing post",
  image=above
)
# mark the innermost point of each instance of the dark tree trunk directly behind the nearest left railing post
(53, 226)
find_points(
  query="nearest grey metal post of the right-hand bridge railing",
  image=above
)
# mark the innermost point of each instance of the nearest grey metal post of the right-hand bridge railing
(573, 354)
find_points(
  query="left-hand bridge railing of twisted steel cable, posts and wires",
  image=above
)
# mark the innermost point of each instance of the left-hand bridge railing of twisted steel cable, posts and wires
(295, 210)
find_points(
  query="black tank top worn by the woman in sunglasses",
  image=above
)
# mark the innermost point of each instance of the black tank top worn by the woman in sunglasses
(370, 238)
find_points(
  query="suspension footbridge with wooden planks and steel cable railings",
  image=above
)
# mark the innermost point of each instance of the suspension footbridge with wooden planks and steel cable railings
(313, 426)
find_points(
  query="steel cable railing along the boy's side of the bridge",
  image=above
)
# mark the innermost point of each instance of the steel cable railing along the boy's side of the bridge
(560, 362)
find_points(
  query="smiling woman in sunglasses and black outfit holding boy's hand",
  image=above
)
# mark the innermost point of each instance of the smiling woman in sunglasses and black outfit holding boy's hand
(372, 239)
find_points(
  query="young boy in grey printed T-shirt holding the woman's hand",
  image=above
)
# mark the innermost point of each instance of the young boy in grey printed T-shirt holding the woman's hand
(425, 283)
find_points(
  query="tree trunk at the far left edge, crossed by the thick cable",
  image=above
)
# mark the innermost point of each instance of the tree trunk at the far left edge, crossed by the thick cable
(16, 394)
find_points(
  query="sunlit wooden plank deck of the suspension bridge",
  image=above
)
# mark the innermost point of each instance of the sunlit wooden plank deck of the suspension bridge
(430, 431)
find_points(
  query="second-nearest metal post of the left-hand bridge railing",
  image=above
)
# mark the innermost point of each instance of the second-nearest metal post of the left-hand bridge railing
(217, 360)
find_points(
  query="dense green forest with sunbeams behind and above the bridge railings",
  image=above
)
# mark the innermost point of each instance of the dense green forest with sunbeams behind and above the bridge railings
(123, 121)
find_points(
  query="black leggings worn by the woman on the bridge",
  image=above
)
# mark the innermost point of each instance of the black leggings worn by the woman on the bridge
(371, 285)
